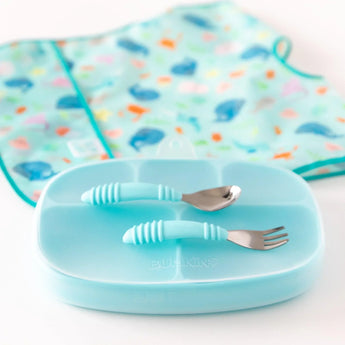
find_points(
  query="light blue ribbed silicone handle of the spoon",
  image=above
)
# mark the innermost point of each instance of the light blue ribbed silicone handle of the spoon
(118, 192)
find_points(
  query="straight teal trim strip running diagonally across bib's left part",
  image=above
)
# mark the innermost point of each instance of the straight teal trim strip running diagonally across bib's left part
(82, 100)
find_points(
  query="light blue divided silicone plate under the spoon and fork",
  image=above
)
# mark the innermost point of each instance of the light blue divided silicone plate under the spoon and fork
(84, 262)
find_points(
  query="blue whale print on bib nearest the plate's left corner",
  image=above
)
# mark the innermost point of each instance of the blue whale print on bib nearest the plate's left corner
(34, 171)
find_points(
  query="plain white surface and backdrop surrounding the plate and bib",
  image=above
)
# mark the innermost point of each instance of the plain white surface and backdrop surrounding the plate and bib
(317, 29)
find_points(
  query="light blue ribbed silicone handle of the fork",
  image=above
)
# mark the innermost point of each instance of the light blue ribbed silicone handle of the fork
(172, 230)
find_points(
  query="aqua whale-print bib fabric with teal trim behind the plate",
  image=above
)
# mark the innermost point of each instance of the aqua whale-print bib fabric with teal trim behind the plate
(209, 73)
